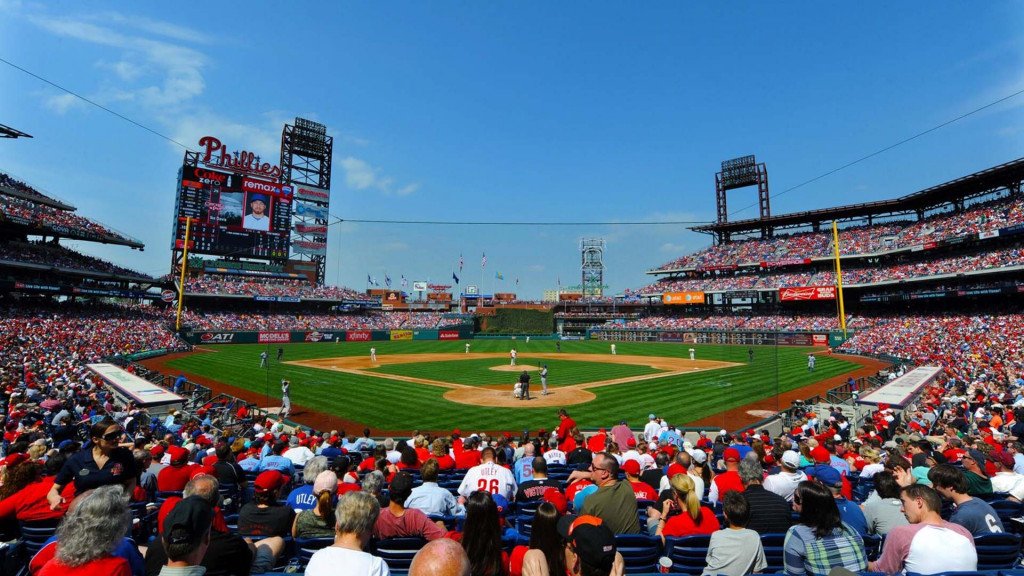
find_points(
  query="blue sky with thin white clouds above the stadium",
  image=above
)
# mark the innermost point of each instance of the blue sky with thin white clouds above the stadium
(528, 111)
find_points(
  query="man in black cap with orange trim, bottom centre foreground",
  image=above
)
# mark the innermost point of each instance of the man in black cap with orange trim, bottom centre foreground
(590, 548)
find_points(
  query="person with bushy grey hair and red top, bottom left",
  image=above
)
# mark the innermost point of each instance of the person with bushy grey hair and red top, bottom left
(90, 536)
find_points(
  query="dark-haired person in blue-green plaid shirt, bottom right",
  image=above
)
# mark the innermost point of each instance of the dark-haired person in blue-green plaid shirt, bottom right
(821, 542)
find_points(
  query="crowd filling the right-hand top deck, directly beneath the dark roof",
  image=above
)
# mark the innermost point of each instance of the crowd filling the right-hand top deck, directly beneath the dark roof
(860, 240)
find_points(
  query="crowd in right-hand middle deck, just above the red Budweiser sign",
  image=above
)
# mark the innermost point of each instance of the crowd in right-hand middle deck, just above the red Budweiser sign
(1010, 257)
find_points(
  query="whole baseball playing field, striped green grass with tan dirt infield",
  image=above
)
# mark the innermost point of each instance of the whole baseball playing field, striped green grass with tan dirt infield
(439, 386)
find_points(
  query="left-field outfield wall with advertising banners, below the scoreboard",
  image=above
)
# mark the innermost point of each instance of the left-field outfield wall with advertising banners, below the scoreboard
(294, 337)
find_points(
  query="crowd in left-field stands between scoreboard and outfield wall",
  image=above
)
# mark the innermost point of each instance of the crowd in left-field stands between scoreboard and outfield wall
(202, 320)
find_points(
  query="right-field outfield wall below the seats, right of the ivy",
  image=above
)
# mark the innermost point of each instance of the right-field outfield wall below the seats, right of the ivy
(751, 338)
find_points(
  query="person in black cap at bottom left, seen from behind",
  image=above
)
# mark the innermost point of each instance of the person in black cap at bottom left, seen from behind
(187, 538)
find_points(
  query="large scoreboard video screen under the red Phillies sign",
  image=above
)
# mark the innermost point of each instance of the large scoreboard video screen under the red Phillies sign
(233, 215)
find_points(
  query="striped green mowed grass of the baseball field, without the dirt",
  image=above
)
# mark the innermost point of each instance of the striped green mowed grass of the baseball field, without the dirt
(389, 405)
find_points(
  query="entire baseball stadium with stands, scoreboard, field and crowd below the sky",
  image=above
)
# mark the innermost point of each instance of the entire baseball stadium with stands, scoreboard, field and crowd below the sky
(871, 351)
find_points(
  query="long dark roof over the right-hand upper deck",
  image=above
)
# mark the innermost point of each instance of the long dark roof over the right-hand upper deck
(964, 188)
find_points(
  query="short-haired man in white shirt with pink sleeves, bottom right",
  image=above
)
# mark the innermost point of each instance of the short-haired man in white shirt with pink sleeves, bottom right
(928, 545)
